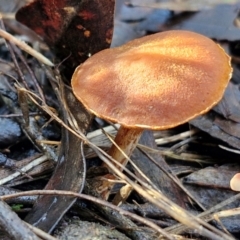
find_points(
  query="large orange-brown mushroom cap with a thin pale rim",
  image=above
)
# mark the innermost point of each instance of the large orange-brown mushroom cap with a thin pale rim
(154, 82)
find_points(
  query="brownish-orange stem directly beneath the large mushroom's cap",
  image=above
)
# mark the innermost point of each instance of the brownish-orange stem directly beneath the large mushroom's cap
(126, 139)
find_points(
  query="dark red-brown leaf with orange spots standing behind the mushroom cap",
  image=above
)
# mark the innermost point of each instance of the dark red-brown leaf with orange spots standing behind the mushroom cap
(73, 28)
